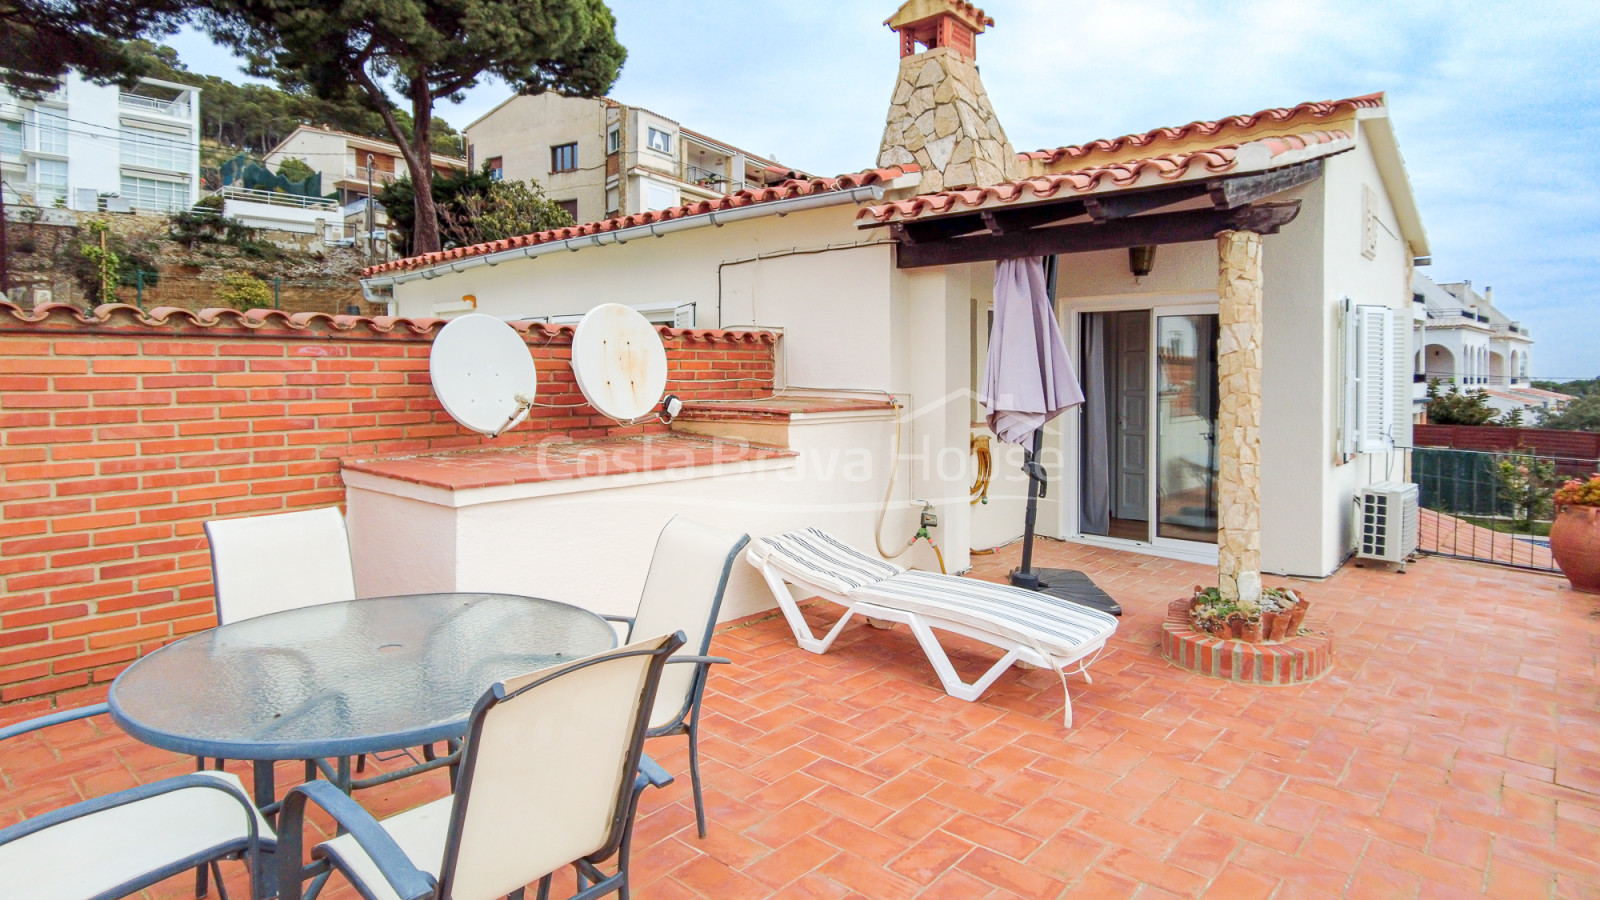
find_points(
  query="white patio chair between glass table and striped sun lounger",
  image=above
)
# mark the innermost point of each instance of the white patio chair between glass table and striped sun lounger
(689, 577)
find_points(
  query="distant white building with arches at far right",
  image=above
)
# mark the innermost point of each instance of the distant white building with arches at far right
(1468, 342)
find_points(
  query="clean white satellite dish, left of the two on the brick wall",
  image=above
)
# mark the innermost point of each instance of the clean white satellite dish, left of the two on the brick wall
(482, 374)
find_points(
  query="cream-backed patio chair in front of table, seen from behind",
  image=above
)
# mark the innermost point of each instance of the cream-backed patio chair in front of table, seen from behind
(550, 776)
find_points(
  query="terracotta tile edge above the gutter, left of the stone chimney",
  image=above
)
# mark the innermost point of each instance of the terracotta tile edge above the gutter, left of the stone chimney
(748, 198)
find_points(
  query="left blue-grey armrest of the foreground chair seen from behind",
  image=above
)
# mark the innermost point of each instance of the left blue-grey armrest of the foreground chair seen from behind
(398, 869)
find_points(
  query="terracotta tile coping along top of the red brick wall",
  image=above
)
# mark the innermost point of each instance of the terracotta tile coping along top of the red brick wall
(119, 318)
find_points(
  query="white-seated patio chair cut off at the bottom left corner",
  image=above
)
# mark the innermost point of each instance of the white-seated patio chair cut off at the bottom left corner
(119, 845)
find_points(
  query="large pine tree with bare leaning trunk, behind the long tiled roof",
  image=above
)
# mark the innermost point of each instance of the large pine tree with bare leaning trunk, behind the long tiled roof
(425, 52)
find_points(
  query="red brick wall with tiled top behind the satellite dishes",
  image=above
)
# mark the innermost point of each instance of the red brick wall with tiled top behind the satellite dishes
(121, 435)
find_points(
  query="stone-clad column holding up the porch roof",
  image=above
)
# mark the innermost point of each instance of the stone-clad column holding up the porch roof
(1239, 419)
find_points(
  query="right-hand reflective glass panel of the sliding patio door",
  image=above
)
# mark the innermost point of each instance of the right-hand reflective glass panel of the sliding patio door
(1186, 451)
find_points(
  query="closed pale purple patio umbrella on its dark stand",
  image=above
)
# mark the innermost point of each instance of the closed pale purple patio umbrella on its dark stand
(1028, 382)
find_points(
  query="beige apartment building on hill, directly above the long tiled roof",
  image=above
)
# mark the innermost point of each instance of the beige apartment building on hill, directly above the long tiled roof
(601, 159)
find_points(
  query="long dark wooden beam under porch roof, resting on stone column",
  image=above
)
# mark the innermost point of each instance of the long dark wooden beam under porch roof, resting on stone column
(1137, 231)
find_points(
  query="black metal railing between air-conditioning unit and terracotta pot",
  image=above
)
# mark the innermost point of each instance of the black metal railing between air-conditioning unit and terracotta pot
(1490, 507)
